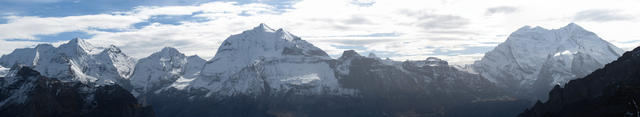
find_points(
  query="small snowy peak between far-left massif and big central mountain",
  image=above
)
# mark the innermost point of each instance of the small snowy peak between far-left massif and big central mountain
(165, 69)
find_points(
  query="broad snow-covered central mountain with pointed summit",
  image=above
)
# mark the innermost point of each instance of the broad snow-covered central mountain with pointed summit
(266, 60)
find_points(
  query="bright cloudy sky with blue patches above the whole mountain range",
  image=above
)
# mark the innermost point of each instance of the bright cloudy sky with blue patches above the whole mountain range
(459, 31)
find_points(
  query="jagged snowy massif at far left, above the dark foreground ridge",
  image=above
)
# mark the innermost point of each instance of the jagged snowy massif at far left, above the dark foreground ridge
(76, 60)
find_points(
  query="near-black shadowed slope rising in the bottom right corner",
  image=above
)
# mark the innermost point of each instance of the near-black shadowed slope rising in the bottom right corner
(612, 91)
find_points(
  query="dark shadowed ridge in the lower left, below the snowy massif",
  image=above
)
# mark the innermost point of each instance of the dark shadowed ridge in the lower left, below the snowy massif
(28, 94)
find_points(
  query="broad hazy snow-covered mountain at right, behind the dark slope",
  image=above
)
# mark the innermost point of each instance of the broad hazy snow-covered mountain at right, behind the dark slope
(538, 58)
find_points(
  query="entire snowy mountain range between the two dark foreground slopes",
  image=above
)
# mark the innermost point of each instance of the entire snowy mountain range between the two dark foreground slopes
(271, 72)
